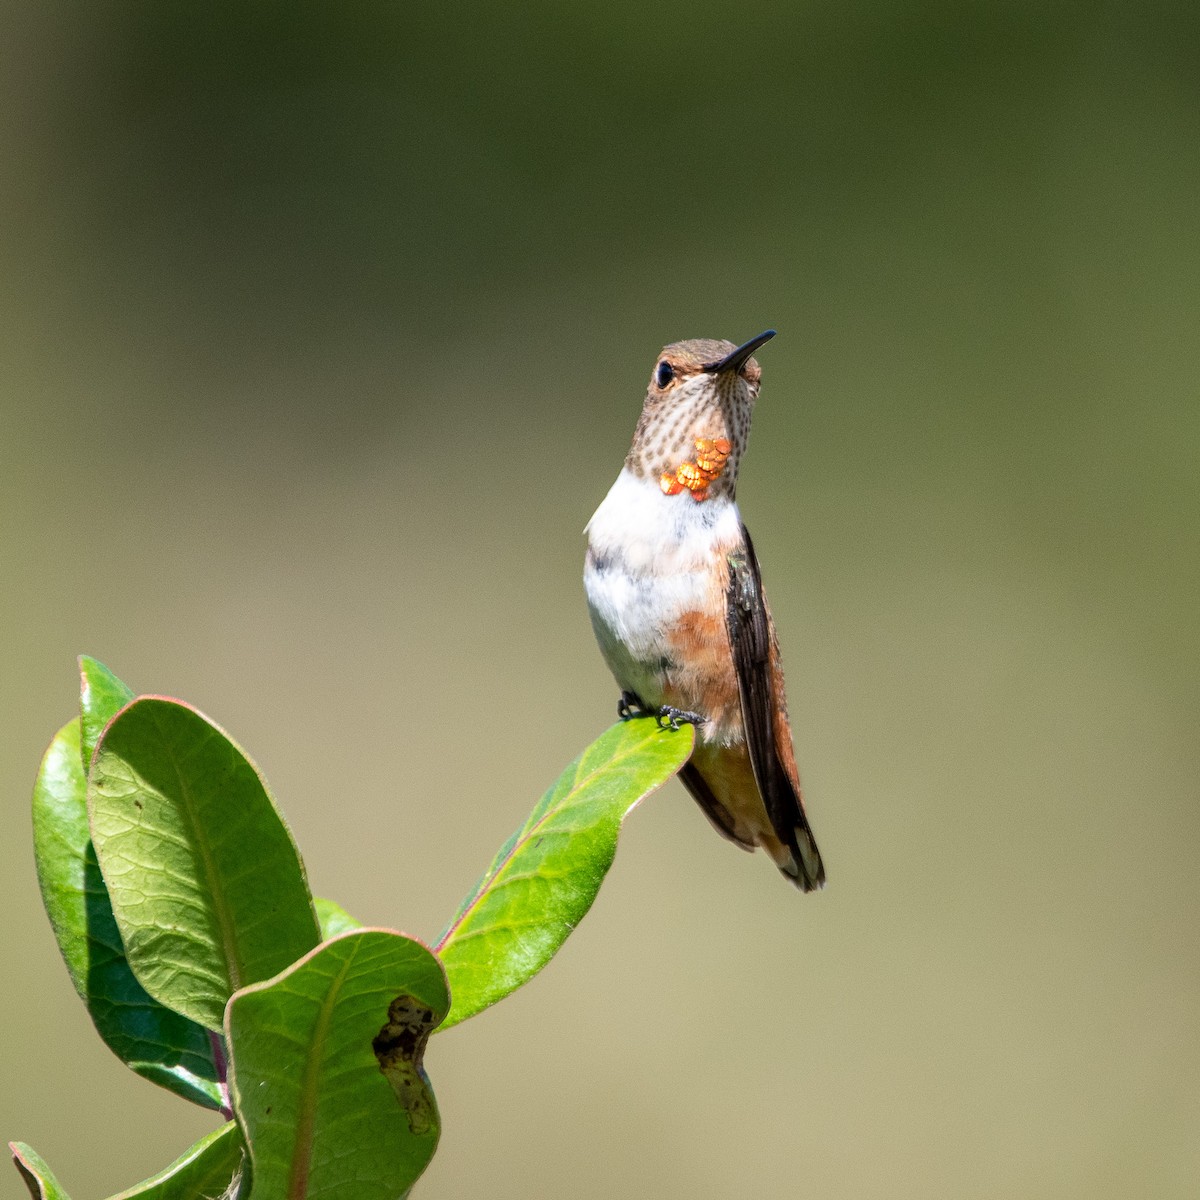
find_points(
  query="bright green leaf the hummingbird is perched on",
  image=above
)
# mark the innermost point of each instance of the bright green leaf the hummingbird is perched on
(548, 874)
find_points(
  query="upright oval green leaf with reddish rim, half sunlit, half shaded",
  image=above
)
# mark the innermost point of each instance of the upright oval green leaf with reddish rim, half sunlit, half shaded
(205, 879)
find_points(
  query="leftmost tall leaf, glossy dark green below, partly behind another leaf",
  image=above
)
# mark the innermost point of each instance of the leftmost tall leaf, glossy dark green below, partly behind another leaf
(155, 1042)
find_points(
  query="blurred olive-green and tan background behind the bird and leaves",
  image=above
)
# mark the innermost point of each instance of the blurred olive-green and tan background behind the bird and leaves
(326, 329)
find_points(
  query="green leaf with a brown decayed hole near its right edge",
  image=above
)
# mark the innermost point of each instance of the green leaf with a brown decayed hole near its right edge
(326, 1069)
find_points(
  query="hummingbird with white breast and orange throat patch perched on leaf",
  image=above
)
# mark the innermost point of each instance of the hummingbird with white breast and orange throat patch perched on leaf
(677, 604)
